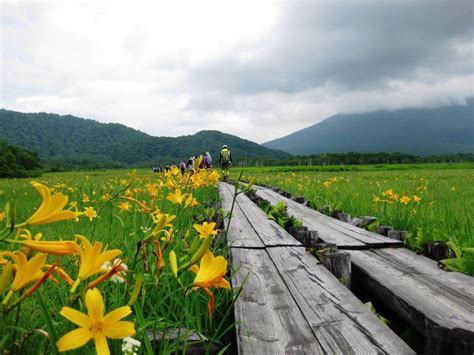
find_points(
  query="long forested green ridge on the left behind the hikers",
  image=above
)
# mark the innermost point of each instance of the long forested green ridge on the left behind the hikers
(58, 137)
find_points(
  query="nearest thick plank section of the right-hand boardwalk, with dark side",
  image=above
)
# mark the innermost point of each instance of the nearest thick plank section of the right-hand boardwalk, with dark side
(439, 304)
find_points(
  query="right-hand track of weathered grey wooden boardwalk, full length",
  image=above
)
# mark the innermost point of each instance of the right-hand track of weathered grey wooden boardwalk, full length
(439, 304)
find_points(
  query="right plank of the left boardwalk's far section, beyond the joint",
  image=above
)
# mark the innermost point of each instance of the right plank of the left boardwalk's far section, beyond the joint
(270, 233)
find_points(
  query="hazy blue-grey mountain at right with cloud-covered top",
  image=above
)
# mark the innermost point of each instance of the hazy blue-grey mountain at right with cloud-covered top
(416, 131)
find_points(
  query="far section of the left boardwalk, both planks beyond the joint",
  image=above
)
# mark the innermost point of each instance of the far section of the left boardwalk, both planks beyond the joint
(269, 232)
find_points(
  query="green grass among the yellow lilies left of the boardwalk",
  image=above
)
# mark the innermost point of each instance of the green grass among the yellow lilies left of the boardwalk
(164, 301)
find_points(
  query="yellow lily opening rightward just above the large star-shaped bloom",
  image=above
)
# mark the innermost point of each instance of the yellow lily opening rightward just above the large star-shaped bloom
(91, 259)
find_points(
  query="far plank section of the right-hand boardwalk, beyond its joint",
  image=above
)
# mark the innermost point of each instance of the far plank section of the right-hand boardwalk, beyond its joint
(330, 230)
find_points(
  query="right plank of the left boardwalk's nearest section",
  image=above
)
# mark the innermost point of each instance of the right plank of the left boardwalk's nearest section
(341, 323)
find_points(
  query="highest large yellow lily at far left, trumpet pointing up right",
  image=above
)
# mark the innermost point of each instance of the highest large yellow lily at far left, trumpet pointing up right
(50, 210)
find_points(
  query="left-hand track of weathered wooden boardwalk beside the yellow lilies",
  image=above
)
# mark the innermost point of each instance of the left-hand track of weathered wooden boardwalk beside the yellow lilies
(290, 304)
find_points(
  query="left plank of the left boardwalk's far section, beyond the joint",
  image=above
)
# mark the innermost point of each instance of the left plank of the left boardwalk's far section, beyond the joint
(241, 233)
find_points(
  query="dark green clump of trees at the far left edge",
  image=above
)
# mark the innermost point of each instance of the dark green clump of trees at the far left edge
(18, 162)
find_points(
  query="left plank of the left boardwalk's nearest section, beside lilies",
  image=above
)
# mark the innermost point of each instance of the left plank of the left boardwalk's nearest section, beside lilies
(268, 319)
